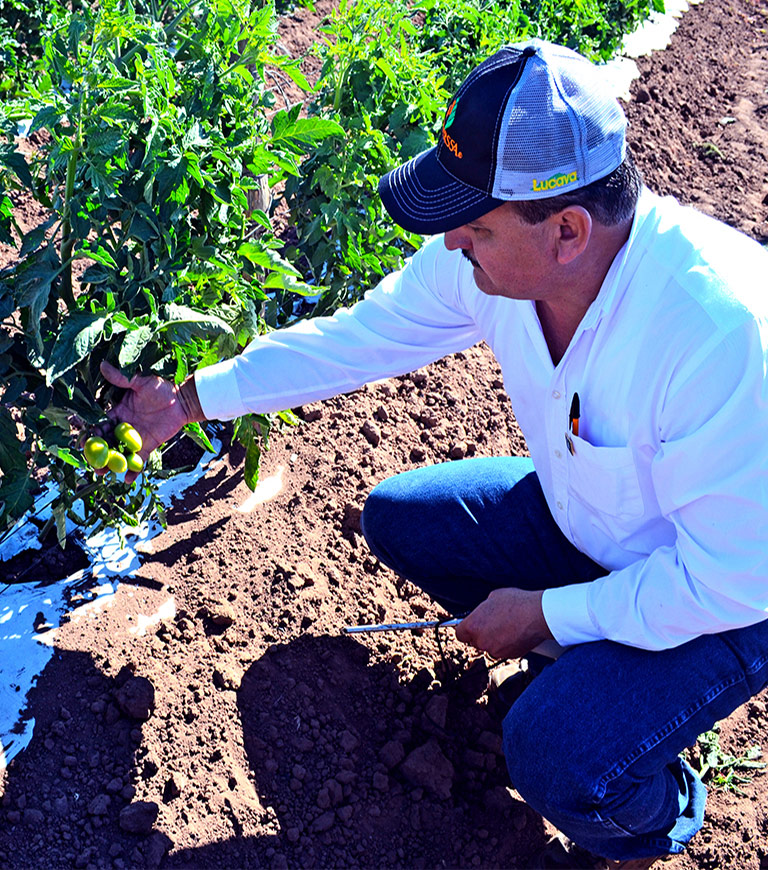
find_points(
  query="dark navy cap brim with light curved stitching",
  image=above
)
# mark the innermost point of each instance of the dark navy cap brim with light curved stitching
(423, 198)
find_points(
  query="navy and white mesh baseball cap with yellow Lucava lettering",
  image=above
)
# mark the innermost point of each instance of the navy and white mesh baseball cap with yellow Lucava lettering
(532, 121)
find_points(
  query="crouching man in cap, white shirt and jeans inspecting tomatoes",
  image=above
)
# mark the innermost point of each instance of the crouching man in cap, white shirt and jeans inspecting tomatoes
(632, 336)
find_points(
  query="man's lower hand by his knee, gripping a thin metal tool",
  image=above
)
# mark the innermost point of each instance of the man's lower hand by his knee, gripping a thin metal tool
(508, 624)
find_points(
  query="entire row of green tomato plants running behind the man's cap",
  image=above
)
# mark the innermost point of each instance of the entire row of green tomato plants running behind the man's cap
(163, 151)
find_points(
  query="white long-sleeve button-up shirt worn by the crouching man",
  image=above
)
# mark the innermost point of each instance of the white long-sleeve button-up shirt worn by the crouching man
(667, 485)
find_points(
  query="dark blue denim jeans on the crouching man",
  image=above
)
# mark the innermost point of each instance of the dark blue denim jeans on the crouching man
(593, 743)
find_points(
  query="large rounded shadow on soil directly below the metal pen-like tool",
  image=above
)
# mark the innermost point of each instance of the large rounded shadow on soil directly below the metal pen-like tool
(354, 767)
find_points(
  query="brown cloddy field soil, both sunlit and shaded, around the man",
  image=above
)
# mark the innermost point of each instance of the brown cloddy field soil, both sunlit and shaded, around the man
(248, 731)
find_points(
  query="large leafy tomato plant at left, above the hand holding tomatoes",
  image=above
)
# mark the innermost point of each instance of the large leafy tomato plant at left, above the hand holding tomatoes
(160, 126)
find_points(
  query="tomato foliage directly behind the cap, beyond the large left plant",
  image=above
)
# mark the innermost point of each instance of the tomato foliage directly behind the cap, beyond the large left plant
(389, 68)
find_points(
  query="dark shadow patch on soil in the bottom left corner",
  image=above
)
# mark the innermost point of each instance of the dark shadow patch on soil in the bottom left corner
(62, 798)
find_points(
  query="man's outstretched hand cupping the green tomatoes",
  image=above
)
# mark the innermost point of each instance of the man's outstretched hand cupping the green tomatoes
(153, 406)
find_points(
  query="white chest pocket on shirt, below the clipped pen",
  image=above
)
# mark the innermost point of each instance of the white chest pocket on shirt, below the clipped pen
(605, 479)
